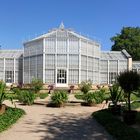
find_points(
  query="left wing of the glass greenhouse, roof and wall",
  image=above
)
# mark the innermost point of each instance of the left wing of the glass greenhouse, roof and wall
(11, 66)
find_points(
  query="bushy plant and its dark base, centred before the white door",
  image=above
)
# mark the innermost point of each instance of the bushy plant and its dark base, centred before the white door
(58, 98)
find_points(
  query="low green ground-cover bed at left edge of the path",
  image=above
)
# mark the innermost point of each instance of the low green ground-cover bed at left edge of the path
(10, 117)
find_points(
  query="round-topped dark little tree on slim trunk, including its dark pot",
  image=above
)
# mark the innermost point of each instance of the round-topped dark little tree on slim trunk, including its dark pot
(129, 82)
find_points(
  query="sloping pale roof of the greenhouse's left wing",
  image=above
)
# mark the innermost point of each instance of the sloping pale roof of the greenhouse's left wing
(11, 53)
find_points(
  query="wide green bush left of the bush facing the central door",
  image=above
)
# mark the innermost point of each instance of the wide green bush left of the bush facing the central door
(26, 97)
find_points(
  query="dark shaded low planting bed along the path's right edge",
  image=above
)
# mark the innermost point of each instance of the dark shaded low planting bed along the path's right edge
(119, 130)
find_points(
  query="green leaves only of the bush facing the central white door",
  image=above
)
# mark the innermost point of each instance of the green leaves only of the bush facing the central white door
(59, 97)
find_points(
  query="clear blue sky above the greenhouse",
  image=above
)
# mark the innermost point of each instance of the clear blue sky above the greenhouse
(99, 19)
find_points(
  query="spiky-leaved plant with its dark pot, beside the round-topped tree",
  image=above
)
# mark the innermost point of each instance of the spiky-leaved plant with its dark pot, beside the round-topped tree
(115, 93)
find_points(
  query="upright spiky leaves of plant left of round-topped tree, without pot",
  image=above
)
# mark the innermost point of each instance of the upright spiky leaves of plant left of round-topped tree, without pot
(115, 93)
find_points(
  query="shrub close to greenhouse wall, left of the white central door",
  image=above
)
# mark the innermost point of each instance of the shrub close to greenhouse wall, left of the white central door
(36, 85)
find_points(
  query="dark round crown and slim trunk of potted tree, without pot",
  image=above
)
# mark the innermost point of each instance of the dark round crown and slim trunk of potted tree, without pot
(129, 82)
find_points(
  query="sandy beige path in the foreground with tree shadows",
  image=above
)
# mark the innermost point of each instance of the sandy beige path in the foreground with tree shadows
(44, 123)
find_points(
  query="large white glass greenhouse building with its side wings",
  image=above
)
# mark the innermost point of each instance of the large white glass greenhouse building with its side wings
(63, 57)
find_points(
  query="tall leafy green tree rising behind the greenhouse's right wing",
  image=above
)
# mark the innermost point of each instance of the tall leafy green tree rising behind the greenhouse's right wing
(128, 39)
